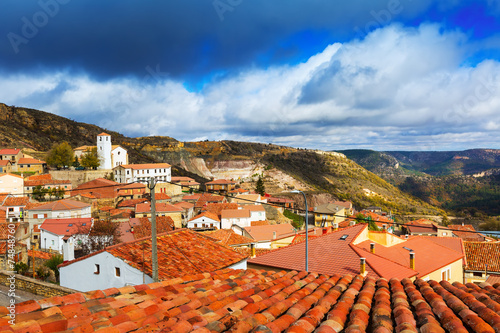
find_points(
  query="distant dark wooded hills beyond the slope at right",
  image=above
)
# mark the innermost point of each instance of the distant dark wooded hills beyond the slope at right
(466, 182)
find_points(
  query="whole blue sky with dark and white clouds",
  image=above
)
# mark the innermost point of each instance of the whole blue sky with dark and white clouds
(384, 75)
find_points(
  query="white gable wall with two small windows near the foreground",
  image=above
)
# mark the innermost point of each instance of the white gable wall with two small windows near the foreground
(80, 274)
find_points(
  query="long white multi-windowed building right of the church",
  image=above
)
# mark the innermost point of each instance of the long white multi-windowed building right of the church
(129, 173)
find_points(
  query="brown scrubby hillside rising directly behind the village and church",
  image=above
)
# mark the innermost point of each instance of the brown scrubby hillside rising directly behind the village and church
(283, 168)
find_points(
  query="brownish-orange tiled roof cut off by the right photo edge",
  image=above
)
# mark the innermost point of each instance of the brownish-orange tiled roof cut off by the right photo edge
(480, 254)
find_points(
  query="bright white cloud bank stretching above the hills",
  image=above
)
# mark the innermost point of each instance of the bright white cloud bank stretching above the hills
(399, 88)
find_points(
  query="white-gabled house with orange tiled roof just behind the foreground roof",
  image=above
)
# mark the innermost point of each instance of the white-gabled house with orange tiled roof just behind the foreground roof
(180, 252)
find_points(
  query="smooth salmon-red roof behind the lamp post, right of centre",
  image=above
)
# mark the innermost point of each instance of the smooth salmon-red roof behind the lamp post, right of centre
(330, 254)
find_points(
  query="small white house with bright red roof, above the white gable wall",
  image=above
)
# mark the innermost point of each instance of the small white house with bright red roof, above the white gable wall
(53, 232)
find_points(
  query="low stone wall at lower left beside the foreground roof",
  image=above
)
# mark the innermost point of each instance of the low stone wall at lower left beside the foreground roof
(34, 286)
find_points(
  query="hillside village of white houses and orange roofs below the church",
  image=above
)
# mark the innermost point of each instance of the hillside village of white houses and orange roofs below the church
(97, 235)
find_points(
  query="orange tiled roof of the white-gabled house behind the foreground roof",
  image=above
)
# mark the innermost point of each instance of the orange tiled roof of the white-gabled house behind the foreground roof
(180, 252)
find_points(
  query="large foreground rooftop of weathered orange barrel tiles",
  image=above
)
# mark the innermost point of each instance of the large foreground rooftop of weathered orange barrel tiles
(267, 301)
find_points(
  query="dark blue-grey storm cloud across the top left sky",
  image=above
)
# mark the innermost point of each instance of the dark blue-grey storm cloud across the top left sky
(185, 38)
